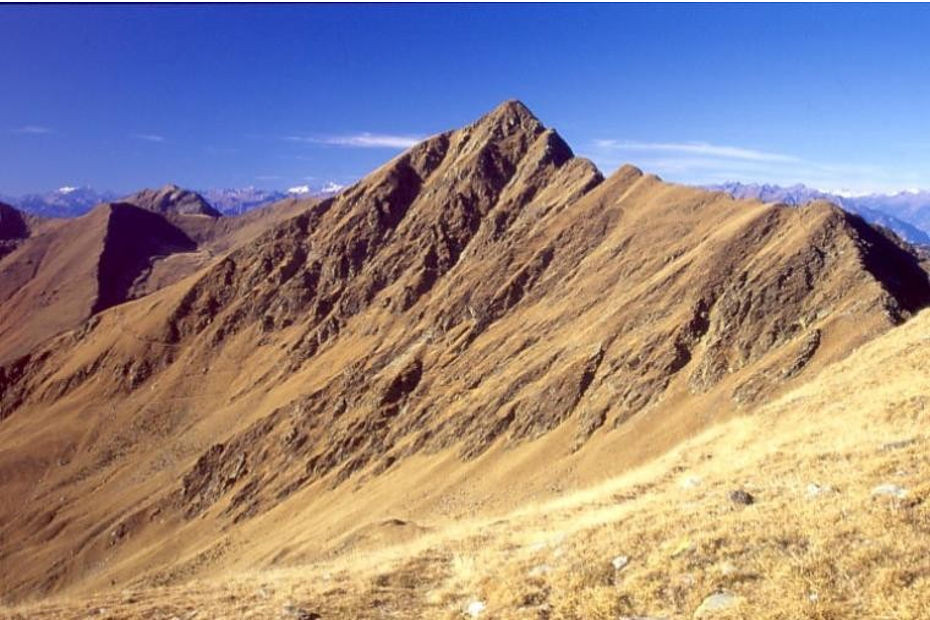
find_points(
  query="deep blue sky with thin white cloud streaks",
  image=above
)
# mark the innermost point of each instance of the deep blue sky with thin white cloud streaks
(120, 97)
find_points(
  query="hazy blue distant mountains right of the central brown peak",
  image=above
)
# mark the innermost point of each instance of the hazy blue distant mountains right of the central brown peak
(906, 213)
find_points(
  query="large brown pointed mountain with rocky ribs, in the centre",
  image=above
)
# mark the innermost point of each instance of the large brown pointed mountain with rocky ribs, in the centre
(485, 294)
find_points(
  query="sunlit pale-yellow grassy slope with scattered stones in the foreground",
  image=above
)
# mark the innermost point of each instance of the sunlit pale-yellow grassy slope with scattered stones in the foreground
(833, 523)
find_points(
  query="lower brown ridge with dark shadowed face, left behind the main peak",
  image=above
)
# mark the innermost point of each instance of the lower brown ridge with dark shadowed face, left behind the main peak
(64, 271)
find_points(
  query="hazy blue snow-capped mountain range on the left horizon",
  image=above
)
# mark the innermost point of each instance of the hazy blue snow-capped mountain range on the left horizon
(74, 201)
